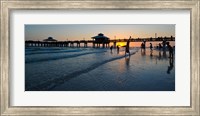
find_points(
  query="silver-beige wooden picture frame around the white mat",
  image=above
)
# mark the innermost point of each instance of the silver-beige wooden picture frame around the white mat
(8, 5)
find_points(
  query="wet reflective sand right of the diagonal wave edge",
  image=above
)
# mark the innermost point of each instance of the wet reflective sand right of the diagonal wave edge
(142, 71)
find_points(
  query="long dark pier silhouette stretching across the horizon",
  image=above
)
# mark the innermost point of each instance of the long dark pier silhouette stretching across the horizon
(96, 44)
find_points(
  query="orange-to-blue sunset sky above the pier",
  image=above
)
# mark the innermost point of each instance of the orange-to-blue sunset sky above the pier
(86, 31)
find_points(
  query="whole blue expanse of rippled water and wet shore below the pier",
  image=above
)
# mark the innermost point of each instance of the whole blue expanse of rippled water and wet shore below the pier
(98, 69)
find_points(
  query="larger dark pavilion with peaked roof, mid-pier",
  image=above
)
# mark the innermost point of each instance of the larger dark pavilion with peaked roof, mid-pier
(101, 39)
